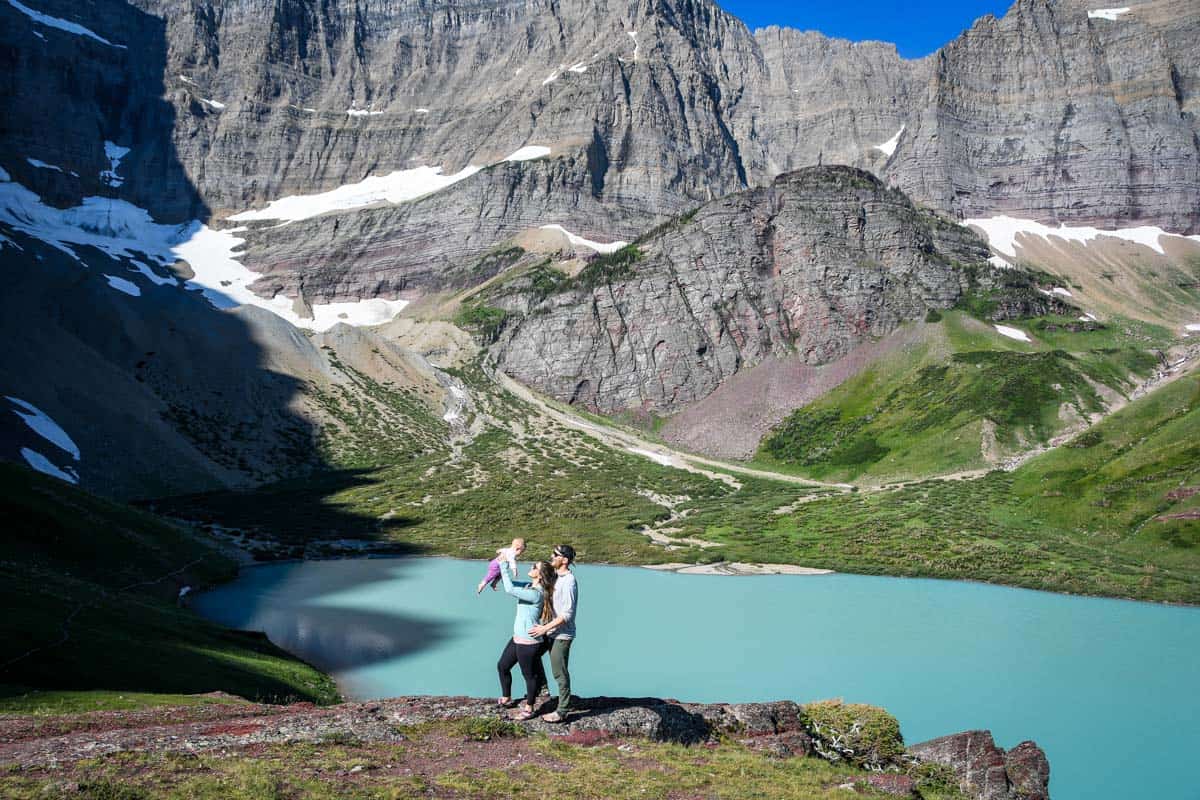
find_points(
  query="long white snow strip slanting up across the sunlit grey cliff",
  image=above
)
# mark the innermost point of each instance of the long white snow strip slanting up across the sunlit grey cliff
(397, 188)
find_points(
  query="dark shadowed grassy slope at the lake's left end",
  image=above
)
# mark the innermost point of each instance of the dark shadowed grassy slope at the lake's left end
(88, 588)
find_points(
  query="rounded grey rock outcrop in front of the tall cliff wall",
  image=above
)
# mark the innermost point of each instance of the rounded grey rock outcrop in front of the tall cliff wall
(813, 266)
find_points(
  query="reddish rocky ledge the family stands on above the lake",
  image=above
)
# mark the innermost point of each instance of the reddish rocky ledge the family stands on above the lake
(856, 736)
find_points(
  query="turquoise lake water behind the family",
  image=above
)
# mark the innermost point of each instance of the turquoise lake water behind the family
(1107, 688)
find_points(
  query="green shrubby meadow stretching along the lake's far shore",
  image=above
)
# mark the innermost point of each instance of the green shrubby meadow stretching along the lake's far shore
(526, 476)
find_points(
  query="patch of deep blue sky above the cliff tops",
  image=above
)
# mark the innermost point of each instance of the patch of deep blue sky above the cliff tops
(919, 28)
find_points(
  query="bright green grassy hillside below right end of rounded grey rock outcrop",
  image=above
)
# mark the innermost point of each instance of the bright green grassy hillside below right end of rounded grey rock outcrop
(939, 407)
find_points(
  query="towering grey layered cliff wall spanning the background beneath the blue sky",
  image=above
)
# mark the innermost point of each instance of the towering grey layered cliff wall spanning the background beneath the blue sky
(651, 106)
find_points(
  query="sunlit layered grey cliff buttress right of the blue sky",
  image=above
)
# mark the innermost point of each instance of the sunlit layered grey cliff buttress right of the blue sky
(1063, 117)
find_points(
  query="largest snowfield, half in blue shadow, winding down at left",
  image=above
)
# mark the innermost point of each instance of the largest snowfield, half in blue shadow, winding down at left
(127, 232)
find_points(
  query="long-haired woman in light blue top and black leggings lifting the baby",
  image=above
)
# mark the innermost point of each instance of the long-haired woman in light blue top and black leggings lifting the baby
(533, 609)
